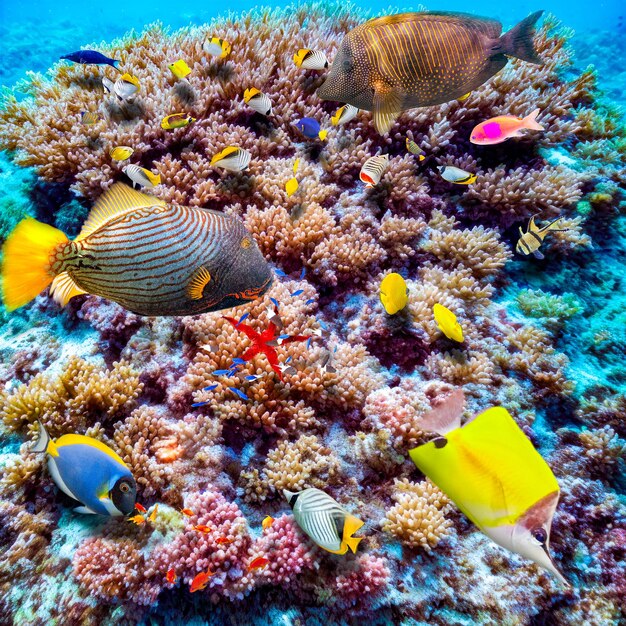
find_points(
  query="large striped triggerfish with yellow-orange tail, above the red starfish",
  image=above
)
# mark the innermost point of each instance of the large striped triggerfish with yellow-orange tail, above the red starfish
(151, 257)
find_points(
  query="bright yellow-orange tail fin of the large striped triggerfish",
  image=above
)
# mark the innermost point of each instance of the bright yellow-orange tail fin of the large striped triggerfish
(26, 266)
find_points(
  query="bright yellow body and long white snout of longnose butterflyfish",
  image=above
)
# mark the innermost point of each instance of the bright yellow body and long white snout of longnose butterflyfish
(492, 472)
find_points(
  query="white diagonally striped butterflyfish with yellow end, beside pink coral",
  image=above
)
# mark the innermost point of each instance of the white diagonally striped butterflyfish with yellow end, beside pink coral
(321, 517)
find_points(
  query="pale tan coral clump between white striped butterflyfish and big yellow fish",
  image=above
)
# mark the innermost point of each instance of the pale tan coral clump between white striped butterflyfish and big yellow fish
(418, 517)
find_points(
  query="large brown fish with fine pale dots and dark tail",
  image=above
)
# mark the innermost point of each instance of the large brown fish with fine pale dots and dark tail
(398, 62)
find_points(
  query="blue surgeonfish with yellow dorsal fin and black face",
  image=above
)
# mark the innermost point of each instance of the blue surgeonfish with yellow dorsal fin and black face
(89, 472)
